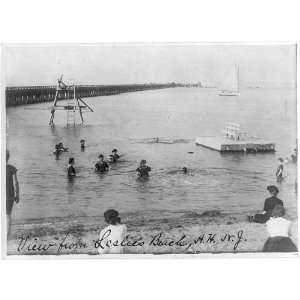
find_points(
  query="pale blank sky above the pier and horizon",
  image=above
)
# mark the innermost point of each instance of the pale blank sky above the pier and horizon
(263, 65)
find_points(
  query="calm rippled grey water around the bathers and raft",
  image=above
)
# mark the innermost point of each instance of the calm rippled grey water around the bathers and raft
(229, 182)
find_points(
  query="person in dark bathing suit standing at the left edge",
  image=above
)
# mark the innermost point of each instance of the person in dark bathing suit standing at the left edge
(12, 191)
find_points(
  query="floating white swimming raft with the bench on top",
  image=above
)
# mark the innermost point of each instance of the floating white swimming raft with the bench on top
(235, 140)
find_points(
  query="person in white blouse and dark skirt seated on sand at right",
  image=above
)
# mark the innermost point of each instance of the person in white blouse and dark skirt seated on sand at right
(279, 231)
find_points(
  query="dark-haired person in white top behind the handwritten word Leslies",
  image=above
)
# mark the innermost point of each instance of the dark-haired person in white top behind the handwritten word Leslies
(113, 234)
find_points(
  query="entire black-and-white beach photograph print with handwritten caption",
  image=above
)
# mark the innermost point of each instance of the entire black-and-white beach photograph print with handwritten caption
(179, 148)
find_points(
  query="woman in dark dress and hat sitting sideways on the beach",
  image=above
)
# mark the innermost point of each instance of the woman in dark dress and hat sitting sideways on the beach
(269, 205)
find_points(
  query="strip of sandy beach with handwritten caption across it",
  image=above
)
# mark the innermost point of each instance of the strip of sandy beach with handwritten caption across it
(180, 232)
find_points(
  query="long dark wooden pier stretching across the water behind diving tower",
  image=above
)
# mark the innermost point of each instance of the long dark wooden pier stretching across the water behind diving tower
(37, 94)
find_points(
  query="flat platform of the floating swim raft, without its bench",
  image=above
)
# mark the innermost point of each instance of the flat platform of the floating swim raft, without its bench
(224, 144)
